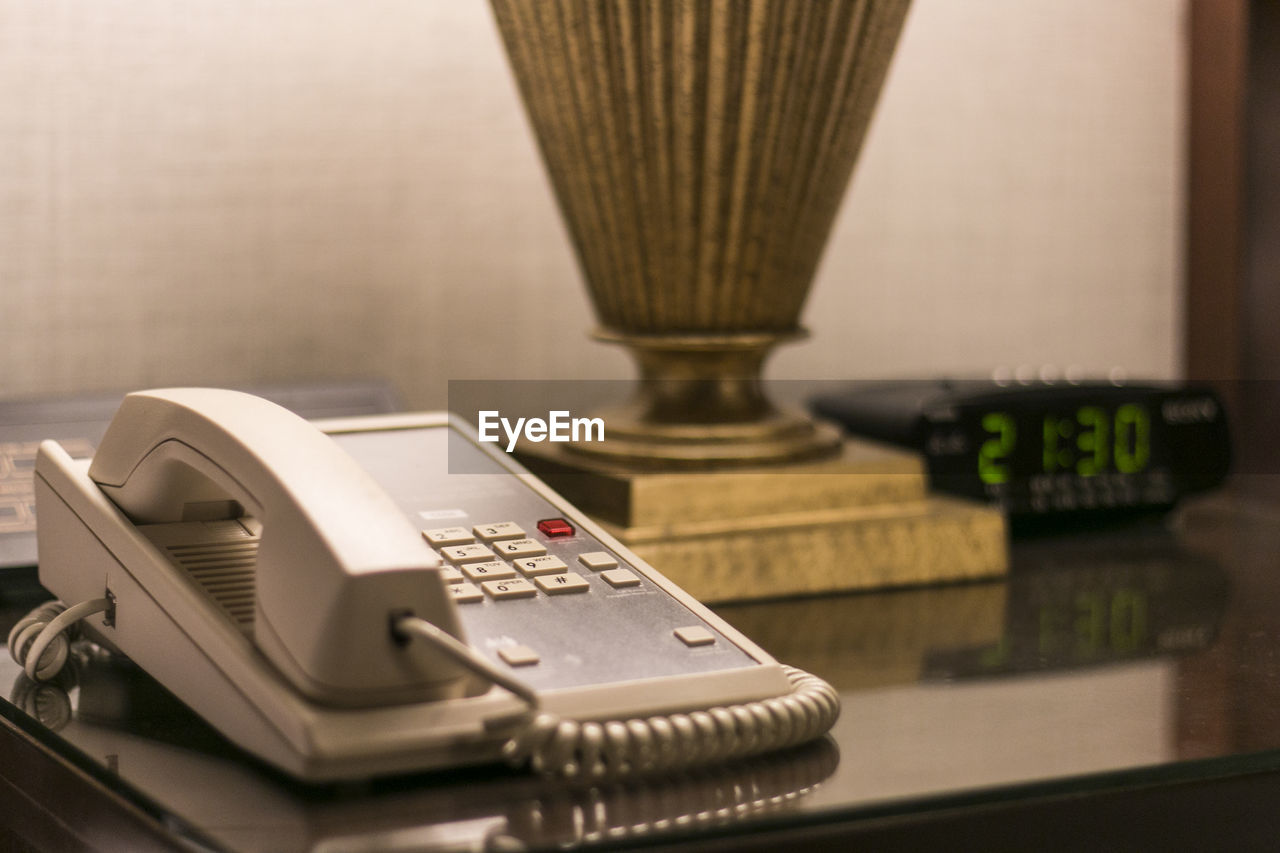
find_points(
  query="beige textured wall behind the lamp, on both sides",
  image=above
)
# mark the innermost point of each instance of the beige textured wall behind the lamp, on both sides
(234, 191)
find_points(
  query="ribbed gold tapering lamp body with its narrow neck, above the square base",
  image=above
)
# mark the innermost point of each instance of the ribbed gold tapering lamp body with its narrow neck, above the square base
(700, 152)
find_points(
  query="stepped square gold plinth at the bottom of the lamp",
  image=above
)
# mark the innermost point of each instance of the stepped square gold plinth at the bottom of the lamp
(858, 522)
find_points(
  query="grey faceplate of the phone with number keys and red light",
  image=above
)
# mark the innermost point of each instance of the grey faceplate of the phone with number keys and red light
(625, 612)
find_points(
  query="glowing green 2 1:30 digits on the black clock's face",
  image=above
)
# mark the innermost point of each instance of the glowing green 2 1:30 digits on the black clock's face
(1087, 443)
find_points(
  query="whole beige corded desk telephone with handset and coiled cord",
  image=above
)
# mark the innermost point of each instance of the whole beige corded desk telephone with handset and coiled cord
(287, 585)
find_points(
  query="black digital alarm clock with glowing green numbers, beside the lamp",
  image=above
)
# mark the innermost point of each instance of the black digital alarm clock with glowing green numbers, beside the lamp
(1046, 450)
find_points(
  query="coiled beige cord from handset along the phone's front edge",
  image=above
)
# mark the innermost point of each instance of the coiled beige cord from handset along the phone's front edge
(592, 750)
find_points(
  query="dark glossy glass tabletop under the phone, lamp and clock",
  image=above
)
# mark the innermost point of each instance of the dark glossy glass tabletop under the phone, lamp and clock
(1139, 655)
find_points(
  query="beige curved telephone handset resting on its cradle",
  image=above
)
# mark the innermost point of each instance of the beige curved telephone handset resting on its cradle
(336, 554)
